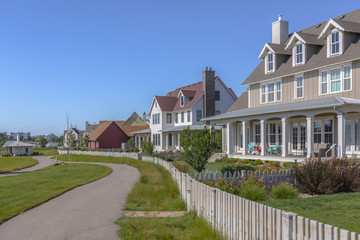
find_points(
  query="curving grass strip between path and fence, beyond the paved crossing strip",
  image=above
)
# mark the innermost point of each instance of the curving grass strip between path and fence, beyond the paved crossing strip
(155, 191)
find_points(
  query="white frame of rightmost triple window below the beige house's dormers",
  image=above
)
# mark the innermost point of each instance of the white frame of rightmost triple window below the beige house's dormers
(342, 79)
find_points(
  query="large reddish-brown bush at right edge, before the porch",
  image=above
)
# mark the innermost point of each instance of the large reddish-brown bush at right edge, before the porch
(325, 177)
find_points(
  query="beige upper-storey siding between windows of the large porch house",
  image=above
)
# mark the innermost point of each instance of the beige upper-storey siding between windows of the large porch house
(311, 88)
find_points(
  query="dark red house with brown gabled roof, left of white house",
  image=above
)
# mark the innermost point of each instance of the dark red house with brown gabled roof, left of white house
(115, 134)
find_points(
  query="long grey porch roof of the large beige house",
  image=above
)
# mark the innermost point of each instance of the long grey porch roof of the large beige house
(288, 107)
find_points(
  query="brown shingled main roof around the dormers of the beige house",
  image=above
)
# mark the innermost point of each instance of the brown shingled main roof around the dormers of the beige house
(318, 60)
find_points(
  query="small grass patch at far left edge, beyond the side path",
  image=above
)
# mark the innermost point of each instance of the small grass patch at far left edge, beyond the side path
(10, 164)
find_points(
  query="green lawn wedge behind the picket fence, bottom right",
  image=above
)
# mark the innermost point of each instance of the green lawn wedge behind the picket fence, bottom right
(339, 210)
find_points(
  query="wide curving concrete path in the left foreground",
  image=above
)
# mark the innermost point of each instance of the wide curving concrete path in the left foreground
(87, 212)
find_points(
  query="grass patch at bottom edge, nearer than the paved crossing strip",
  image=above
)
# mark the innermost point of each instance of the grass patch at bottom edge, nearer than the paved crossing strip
(185, 227)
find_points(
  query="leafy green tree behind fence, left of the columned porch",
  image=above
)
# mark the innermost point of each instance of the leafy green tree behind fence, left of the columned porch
(198, 146)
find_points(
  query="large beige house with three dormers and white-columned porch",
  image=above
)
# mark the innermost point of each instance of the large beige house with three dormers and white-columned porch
(303, 97)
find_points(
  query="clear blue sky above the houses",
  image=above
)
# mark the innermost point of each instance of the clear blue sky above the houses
(103, 60)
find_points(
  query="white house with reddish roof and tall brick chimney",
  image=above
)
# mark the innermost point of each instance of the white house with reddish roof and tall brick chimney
(185, 107)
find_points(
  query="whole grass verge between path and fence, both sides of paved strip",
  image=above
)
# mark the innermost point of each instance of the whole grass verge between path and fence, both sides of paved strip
(155, 190)
